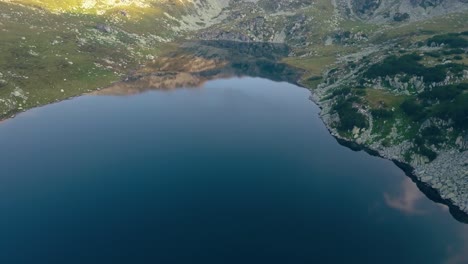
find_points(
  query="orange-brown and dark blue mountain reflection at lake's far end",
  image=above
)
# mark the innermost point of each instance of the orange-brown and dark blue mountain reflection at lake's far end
(195, 63)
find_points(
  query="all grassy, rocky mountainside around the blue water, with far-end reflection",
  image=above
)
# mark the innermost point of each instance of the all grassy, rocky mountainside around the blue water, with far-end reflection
(388, 75)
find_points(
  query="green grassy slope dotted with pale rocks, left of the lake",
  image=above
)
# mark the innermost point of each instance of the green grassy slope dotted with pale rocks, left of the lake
(47, 56)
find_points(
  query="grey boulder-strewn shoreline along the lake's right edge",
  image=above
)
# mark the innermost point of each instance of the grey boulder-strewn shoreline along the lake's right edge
(431, 178)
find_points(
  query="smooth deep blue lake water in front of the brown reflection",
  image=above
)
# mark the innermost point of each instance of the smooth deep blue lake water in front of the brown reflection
(236, 171)
